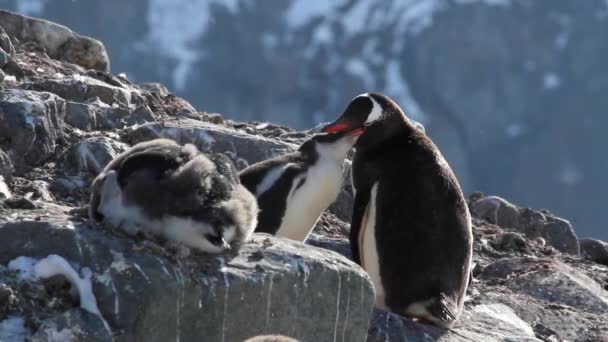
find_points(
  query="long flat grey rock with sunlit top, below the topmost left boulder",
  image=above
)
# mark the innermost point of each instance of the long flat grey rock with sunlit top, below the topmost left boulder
(81, 88)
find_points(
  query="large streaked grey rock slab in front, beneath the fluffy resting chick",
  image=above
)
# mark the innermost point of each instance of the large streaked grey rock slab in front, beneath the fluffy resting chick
(270, 284)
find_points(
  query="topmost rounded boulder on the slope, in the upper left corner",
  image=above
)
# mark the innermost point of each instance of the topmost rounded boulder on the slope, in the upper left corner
(59, 41)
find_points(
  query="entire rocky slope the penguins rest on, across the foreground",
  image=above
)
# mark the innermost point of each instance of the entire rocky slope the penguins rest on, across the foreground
(63, 117)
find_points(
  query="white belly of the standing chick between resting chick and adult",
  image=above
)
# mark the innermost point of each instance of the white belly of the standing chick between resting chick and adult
(305, 205)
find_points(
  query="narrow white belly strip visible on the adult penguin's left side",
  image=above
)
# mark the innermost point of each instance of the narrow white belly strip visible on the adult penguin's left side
(368, 251)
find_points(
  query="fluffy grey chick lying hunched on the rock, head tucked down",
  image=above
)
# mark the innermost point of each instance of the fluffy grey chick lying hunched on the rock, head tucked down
(164, 189)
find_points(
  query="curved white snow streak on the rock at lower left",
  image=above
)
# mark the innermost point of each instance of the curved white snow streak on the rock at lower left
(57, 265)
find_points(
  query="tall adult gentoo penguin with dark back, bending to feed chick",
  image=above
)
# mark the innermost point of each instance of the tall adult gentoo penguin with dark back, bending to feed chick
(411, 229)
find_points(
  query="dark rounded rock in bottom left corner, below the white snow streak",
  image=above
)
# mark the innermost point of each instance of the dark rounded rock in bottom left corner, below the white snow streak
(73, 325)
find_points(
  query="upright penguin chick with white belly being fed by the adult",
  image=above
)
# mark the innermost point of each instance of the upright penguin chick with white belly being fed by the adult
(293, 190)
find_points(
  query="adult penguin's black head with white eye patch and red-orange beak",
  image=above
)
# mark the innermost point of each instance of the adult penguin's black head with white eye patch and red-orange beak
(371, 112)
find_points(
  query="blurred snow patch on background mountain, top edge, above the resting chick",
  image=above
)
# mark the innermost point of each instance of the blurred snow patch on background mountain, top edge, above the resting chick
(175, 27)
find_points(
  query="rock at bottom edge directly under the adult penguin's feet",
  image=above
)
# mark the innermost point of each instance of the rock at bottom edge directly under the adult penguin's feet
(484, 322)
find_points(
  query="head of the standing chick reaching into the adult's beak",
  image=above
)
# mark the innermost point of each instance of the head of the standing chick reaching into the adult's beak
(331, 145)
